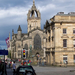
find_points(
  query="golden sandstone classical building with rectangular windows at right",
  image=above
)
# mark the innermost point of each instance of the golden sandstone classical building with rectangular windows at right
(60, 40)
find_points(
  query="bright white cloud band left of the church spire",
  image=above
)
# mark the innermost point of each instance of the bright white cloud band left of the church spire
(13, 11)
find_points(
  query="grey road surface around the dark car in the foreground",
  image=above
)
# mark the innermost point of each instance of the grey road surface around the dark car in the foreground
(49, 70)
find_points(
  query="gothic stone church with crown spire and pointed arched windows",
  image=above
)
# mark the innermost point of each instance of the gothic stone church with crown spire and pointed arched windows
(33, 41)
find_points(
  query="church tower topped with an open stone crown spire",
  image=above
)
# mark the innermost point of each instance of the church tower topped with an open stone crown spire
(33, 18)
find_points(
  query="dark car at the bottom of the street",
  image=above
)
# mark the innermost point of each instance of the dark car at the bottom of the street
(25, 70)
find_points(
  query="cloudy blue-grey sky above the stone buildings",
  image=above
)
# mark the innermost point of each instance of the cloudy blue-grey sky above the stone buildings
(14, 13)
